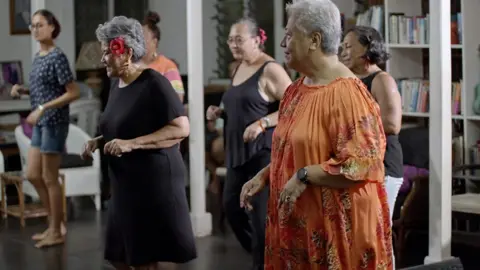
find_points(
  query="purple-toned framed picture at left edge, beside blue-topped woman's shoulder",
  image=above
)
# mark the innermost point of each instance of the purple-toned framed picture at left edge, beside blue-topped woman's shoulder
(10, 74)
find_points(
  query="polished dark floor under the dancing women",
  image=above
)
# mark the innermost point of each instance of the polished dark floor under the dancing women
(83, 249)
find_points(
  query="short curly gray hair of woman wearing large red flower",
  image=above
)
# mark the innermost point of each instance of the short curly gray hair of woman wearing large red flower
(129, 29)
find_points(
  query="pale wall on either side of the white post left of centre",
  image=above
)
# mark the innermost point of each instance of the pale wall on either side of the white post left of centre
(173, 25)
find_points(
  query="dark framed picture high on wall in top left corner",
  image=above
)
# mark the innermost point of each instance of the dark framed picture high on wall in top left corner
(20, 17)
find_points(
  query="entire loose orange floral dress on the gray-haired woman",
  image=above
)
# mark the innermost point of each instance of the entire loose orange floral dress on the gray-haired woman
(338, 127)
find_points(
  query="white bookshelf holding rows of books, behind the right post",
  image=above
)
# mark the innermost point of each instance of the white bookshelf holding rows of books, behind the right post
(406, 61)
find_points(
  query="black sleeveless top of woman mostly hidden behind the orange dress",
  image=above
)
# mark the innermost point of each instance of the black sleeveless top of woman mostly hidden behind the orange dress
(393, 155)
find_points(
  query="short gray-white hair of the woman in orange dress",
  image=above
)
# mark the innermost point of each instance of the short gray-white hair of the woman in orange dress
(320, 16)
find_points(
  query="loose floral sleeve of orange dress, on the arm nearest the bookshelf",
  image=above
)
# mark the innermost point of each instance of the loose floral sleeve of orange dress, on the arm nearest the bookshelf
(356, 133)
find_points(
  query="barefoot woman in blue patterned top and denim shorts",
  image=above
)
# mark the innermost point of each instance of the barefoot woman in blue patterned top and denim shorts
(51, 89)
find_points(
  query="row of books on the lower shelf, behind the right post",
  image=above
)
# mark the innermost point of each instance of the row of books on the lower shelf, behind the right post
(415, 95)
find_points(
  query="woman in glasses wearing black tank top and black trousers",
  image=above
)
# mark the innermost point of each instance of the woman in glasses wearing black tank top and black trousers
(250, 114)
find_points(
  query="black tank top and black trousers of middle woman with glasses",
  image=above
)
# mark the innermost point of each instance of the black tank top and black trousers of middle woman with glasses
(243, 105)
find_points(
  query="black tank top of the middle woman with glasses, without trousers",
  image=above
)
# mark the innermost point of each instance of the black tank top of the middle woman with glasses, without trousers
(244, 105)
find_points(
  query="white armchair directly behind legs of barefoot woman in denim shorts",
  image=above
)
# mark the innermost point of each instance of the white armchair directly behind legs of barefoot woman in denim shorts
(79, 180)
